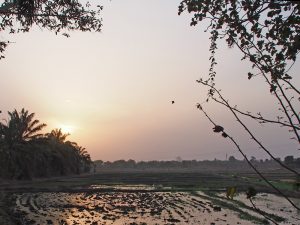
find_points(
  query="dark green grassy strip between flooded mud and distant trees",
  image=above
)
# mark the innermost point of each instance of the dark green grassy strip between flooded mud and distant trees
(181, 181)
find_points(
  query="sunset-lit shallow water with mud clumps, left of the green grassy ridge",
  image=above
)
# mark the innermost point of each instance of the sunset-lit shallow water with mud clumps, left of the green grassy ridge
(122, 207)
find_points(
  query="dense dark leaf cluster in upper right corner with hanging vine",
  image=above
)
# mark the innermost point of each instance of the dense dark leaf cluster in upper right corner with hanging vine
(267, 32)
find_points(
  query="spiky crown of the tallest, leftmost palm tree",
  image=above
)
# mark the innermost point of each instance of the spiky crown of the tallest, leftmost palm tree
(20, 128)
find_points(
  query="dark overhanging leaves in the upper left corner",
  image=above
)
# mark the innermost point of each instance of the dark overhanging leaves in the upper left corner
(57, 16)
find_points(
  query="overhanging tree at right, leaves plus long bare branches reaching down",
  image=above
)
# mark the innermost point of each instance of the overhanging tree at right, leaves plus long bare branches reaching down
(267, 34)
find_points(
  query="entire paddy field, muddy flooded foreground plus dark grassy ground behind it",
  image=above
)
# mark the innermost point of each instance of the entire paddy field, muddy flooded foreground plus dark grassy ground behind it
(145, 198)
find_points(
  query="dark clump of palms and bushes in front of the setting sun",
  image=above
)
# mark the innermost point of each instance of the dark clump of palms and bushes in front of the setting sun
(26, 153)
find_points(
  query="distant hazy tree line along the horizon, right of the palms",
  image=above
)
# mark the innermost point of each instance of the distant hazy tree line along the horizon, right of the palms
(194, 165)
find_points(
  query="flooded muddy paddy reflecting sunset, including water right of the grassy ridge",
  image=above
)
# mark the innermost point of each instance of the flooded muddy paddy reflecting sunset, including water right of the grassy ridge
(128, 205)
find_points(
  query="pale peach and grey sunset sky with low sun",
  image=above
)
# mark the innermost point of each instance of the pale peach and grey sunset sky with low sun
(112, 90)
